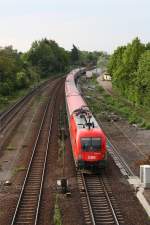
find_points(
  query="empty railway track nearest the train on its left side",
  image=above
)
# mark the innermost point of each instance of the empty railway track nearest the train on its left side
(28, 205)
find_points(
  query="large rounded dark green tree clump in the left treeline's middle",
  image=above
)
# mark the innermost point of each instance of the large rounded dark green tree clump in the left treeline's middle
(47, 57)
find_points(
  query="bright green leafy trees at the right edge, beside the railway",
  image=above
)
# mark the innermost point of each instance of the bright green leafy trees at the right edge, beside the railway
(130, 69)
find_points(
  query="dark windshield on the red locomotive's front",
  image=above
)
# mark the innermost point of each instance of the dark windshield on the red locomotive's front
(90, 144)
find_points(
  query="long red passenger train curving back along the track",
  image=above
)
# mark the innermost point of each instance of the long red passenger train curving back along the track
(87, 138)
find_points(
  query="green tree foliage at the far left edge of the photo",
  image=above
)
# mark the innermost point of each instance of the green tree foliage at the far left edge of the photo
(14, 72)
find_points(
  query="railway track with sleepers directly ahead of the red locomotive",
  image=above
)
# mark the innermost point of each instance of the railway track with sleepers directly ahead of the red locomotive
(99, 204)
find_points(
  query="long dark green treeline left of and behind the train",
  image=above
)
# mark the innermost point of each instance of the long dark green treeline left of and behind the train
(44, 59)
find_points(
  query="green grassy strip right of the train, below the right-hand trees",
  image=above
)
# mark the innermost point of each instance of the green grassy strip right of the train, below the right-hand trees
(101, 102)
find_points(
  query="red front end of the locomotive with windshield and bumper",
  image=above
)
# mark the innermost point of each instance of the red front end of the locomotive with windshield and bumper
(91, 147)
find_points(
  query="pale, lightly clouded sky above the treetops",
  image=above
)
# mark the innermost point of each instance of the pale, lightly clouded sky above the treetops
(100, 25)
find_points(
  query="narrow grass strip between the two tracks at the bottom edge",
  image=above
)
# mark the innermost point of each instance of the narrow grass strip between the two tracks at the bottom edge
(57, 213)
